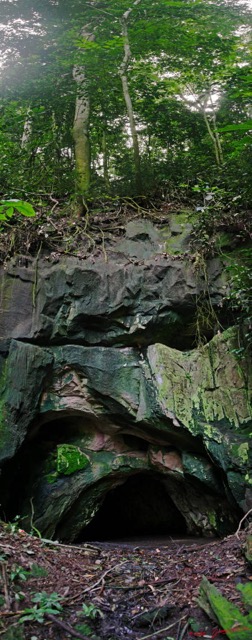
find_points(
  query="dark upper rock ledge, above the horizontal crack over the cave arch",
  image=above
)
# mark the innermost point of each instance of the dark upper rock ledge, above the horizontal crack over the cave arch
(97, 303)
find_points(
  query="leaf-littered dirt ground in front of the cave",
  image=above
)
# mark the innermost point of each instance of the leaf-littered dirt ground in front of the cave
(114, 591)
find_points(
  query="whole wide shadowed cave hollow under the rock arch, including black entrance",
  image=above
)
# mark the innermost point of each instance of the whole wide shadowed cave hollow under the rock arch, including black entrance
(130, 502)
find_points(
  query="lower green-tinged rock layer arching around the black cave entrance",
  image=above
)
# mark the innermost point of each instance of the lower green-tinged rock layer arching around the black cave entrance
(84, 404)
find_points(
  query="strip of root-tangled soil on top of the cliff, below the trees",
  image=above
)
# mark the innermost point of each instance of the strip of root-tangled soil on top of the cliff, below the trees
(57, 231)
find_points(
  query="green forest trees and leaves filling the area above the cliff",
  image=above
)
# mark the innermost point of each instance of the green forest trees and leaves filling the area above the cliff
(107, 98)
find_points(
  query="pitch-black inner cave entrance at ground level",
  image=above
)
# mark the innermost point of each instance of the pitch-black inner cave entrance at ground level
(141, 506)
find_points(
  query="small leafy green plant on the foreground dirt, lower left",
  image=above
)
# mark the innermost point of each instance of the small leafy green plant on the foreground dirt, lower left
(44, 603)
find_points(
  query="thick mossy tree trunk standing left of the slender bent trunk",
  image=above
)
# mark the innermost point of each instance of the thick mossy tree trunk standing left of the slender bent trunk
(81, 139)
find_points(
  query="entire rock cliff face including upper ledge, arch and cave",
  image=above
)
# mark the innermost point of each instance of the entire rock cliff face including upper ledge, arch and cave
(105, 400)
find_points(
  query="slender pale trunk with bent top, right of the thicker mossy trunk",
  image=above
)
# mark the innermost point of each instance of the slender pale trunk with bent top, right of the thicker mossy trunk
(127, 97)
